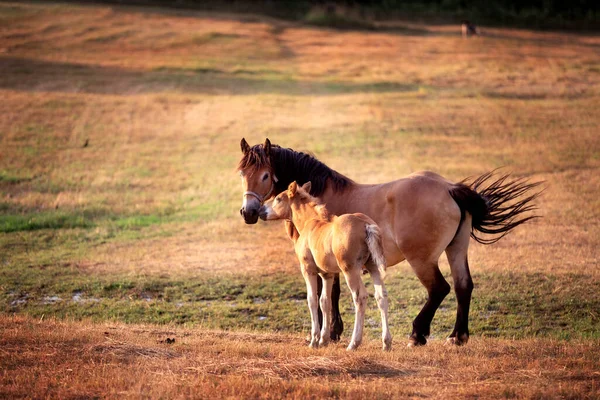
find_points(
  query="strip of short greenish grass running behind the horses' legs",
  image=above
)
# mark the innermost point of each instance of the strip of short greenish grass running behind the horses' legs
(505, 305)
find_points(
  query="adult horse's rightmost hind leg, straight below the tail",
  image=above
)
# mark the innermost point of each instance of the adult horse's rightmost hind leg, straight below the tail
(463, 284)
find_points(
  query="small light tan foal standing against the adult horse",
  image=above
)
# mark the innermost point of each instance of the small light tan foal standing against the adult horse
(326, 245)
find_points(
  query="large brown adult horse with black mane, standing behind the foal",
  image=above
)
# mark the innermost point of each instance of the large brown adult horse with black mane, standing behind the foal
(420, 216)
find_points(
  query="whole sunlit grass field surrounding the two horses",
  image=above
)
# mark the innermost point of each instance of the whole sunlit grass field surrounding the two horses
(119, 224)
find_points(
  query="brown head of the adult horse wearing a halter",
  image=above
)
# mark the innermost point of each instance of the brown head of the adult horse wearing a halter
(258, 180)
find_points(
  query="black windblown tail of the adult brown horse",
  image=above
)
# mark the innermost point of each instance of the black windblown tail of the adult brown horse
(495, 206)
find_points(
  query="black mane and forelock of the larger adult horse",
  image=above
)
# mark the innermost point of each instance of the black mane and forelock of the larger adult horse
(289, 165)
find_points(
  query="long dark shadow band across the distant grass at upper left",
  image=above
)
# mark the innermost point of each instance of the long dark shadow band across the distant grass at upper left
(31, 75)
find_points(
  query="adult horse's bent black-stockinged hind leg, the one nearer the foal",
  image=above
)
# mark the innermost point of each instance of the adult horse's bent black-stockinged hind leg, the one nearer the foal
(437, 288)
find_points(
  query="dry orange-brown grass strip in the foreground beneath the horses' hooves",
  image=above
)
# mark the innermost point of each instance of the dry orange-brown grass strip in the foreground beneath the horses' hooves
(67, 360)
